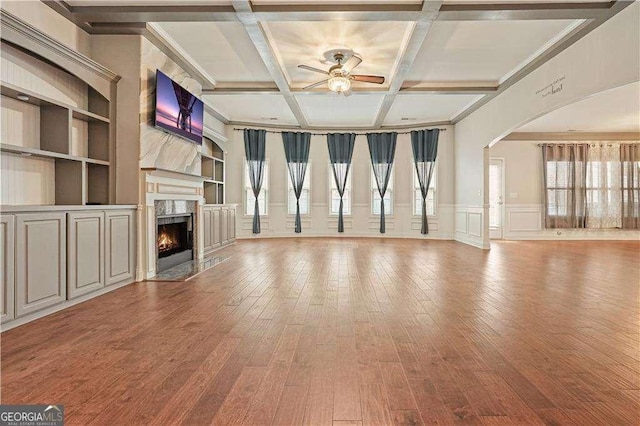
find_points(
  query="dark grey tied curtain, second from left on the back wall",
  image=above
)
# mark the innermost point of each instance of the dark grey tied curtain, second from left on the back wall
(296, 150)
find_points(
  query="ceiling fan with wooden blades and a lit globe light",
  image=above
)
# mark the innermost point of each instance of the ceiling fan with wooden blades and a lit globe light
(340, 76)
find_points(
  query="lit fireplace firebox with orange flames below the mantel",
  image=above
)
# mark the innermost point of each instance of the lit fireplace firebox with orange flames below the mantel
(174, 242)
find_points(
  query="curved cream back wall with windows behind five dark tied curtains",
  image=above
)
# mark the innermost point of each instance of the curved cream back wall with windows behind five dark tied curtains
(361, 223)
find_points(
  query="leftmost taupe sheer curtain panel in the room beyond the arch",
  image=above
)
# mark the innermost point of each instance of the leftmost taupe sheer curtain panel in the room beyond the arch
(565, 179)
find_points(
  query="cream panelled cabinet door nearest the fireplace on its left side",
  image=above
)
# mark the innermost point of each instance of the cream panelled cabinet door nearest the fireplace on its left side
(120, 237)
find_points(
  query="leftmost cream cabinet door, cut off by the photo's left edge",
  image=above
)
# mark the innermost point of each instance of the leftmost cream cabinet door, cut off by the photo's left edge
(7, 268)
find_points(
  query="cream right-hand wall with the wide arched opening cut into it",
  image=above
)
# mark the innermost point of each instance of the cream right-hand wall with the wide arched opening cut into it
(608, 57)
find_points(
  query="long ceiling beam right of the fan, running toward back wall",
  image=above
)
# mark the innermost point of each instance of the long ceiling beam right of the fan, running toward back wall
(418, 36)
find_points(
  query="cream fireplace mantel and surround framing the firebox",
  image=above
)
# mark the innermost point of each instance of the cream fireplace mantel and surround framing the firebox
(167, 193)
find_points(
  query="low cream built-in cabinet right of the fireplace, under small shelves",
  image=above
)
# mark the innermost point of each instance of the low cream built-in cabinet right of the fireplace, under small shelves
(219, 226)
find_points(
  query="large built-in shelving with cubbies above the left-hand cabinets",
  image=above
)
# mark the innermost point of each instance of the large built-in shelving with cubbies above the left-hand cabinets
(74, 139)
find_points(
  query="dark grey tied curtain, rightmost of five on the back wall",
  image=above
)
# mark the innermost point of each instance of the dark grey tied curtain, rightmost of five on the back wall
(424, 144)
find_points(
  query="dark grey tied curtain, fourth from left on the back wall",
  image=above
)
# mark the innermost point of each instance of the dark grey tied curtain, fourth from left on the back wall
(382, 149)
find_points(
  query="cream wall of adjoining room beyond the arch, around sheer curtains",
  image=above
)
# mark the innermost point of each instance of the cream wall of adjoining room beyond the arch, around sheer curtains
(524, 198)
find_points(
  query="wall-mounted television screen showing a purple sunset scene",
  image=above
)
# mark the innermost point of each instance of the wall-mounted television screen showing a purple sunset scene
(177, 110)
